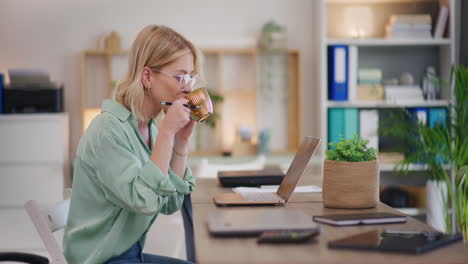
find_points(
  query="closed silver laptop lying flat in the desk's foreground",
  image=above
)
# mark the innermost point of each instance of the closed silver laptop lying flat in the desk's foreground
(250, 222)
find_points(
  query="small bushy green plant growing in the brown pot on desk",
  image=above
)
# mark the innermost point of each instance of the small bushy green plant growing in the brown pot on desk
(354, 150)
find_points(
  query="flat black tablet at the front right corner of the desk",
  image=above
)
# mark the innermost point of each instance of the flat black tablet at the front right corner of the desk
(397, 241)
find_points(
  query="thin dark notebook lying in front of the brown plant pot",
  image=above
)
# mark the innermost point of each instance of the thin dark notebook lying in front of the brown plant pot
(362, 218)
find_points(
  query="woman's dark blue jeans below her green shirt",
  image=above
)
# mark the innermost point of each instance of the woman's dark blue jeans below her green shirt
(135, 255)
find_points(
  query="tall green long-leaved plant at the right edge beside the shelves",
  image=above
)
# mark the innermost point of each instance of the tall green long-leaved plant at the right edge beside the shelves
(443, 148)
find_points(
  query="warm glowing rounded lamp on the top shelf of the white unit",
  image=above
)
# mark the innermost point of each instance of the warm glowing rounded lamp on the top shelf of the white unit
(358, 21)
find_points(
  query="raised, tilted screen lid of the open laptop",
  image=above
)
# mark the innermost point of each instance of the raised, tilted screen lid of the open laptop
(298, 166)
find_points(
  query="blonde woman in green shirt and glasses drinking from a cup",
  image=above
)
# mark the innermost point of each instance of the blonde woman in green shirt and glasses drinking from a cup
(126, 170)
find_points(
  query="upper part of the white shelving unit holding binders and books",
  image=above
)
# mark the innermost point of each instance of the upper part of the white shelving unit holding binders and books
(390, 55)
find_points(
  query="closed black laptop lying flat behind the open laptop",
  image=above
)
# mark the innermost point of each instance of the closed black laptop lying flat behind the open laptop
(251, 178)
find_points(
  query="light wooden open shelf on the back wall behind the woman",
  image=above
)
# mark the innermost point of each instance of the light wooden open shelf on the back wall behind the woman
(231, 73)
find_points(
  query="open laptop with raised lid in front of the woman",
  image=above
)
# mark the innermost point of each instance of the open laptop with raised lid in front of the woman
(287, 186)
